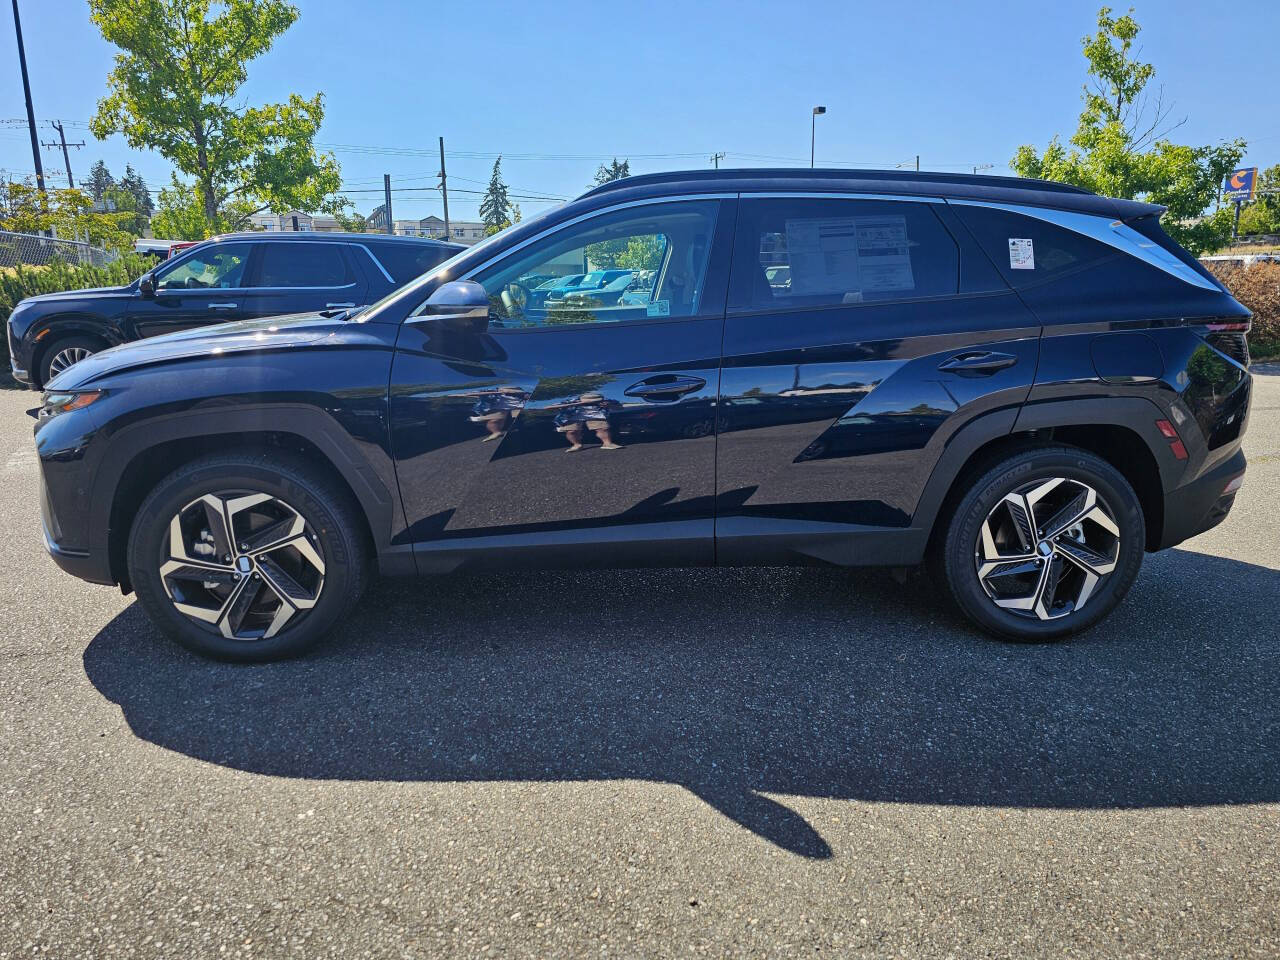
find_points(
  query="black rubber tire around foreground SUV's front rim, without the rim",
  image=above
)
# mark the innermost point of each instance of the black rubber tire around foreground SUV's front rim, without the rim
(310, 500)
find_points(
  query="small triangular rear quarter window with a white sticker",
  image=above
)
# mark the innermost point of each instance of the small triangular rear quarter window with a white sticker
(1027, 250)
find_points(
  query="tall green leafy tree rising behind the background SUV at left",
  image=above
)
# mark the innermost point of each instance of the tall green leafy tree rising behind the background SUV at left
(176, 89)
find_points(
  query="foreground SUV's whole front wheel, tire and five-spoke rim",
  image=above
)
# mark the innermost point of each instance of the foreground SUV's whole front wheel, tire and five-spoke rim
(246, 557)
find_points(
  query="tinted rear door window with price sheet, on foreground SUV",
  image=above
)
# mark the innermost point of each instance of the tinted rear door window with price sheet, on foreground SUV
(807, 253)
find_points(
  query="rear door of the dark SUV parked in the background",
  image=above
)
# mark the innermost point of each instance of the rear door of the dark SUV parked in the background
(294, 277)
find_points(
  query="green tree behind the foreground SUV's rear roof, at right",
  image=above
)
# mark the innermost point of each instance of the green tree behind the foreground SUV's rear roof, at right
(1122, 147)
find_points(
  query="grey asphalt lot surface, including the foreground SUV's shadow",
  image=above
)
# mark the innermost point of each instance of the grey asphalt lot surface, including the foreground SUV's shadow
(746, 762)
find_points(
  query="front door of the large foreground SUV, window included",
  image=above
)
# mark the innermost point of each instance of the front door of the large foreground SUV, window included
(574, 420)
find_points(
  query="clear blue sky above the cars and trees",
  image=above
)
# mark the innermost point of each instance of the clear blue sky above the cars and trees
(557, 88)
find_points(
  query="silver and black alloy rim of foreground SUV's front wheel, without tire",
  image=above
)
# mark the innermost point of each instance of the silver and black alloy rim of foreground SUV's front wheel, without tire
(243, 564)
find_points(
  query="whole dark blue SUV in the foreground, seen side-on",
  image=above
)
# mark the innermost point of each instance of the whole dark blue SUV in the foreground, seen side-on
(1022, 383)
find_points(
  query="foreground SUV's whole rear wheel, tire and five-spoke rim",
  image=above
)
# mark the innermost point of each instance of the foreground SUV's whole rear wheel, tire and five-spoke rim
(1044, 545)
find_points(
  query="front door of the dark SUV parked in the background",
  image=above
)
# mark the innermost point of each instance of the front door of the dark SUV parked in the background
(204, 287)
